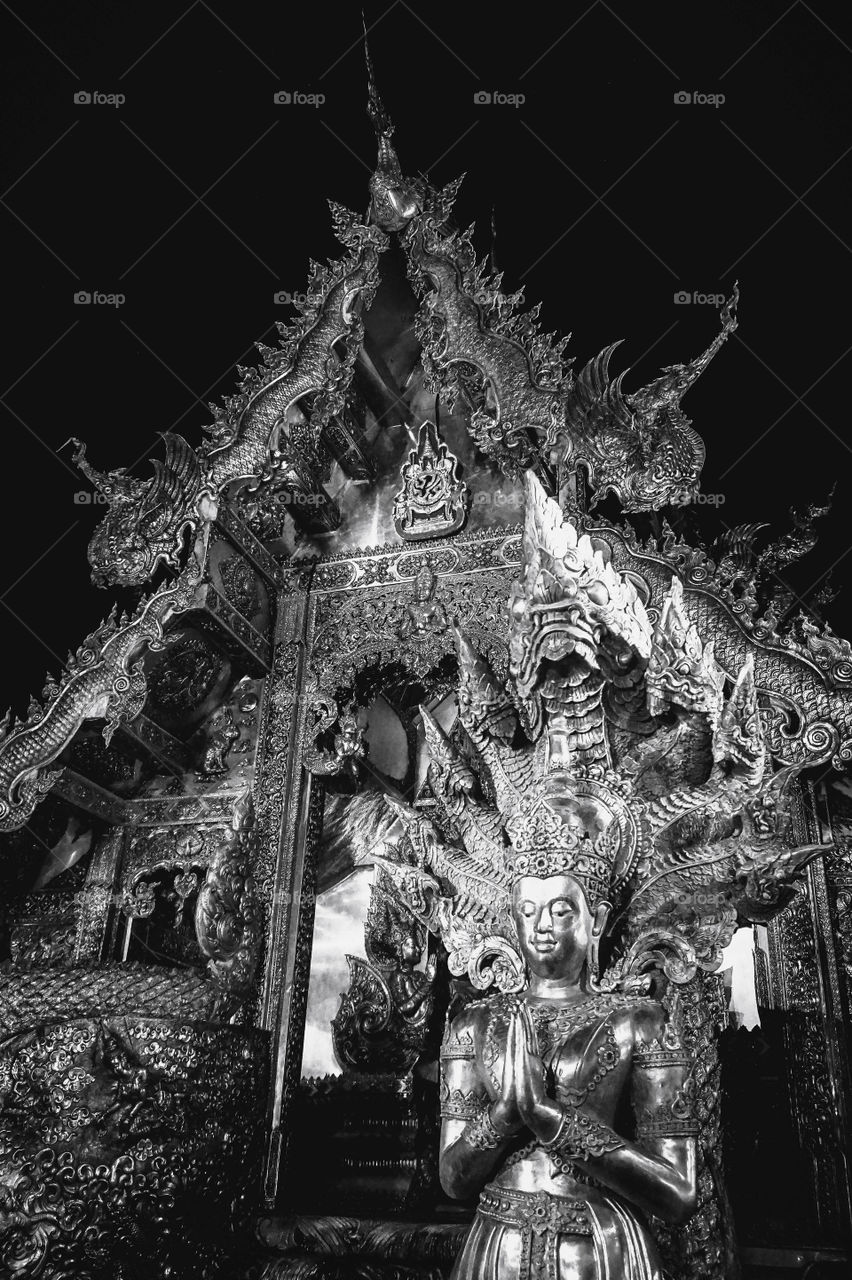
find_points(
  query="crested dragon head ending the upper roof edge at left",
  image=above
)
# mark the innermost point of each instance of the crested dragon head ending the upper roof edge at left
(146, 519)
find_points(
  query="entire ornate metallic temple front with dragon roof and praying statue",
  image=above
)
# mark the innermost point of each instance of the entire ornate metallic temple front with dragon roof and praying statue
(422, 620)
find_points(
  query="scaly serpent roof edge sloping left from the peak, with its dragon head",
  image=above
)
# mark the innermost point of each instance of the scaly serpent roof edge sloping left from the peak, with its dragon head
(253, 440)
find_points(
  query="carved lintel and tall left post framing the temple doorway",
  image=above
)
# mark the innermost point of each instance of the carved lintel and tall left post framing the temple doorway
(474, 575)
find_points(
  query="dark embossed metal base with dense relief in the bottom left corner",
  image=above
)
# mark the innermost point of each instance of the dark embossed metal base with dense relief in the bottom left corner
(102, 1156)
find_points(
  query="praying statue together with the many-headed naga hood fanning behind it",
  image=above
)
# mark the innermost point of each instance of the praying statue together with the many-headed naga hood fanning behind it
(619, 776)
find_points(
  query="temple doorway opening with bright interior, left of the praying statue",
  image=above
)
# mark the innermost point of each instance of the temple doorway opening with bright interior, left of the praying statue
(379, 988)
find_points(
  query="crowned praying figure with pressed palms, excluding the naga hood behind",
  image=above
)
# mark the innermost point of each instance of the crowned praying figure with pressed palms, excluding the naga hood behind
(537, 1098)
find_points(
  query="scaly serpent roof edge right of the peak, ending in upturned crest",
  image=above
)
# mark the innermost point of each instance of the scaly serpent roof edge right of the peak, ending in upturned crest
(526, 403)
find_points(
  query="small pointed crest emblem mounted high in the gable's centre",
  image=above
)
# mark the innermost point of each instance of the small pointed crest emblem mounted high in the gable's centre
(433, 501)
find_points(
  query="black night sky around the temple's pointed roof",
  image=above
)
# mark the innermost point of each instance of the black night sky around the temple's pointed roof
(199, 198)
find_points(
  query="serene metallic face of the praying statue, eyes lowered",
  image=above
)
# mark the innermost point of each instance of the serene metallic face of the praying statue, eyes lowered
(555, 925)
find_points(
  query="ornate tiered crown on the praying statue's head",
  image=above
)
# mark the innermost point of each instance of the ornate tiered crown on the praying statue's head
(552, 835)
